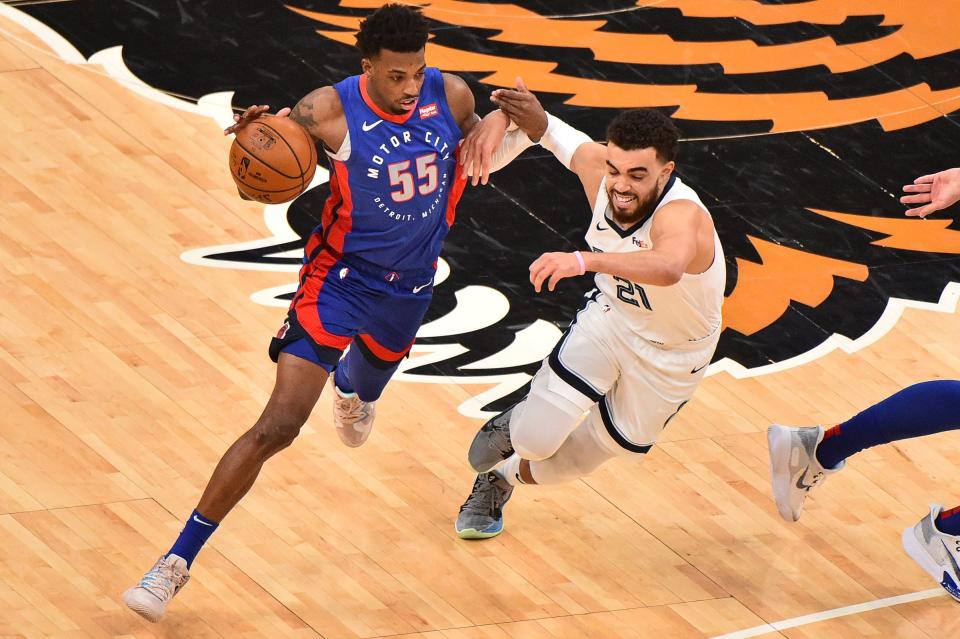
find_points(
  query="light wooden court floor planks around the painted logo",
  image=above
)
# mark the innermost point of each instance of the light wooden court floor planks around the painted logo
(125, 373)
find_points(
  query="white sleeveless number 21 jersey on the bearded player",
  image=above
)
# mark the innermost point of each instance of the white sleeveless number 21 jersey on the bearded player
(683, 314)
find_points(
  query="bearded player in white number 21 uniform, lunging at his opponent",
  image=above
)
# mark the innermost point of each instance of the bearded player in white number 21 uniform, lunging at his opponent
(634, 354)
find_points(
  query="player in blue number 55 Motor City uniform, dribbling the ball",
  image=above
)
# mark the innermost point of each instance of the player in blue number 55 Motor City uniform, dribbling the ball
(391, 136)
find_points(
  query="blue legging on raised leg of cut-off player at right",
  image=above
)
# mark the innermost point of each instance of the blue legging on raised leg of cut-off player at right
(921, 409)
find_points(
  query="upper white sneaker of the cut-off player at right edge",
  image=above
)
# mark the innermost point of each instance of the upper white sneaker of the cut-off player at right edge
(794, 468)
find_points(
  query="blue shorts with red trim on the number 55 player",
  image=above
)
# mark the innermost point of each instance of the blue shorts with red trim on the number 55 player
(343, 299)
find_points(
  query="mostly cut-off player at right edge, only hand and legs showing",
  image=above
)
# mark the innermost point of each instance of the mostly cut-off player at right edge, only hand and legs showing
(802, 458)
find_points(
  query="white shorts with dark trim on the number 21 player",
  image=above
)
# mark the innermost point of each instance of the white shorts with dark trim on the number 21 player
(634, 386)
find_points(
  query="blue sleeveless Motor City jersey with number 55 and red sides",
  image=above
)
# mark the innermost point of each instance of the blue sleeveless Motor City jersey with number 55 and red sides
(395, 182)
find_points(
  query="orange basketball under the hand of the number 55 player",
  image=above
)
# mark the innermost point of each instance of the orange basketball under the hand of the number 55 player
(272, 159)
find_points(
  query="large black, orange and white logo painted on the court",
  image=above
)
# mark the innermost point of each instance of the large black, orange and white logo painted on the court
(801, 121)
